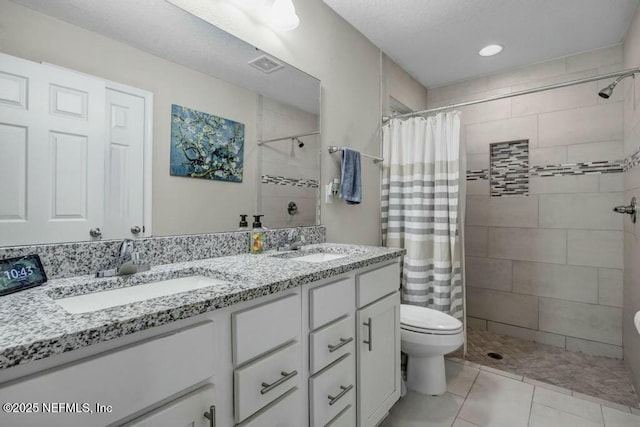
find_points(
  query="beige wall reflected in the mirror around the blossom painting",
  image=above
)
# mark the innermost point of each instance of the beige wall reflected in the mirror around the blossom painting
(180, 205)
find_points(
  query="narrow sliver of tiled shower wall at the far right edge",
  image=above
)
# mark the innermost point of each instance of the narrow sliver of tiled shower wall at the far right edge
(631, 89)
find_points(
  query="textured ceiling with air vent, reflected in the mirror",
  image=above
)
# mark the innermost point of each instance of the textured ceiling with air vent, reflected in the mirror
(169, 32)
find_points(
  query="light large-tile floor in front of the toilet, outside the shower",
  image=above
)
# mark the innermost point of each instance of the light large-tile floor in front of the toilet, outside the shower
(480, 396)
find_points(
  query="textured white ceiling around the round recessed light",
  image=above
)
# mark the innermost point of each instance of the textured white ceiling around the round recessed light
(437, 41)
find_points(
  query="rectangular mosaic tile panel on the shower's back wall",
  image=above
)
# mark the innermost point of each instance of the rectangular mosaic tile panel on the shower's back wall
(509, 172)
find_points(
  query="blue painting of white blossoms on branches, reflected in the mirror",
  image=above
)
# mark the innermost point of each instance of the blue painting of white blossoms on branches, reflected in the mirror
(206, 146)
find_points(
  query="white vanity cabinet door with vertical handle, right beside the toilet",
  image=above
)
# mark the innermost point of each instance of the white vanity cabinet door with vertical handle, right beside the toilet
(378, 359)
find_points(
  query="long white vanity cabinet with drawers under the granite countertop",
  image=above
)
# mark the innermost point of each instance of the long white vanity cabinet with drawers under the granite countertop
(301, 357)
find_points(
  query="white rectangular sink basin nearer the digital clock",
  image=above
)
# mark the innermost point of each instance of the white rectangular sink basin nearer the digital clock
(114, 297)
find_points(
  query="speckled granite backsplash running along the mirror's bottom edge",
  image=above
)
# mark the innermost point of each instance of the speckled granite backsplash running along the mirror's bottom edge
(76, 259)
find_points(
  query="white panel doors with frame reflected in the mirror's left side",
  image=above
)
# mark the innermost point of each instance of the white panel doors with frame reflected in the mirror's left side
(54, 156)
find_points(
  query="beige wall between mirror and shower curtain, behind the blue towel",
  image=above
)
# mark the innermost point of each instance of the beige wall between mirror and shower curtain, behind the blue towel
(327, 47)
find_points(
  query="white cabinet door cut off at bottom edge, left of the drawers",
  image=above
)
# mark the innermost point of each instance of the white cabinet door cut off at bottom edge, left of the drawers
(187, 411)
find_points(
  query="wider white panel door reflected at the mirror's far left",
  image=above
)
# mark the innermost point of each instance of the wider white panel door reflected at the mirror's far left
(52, 153)
